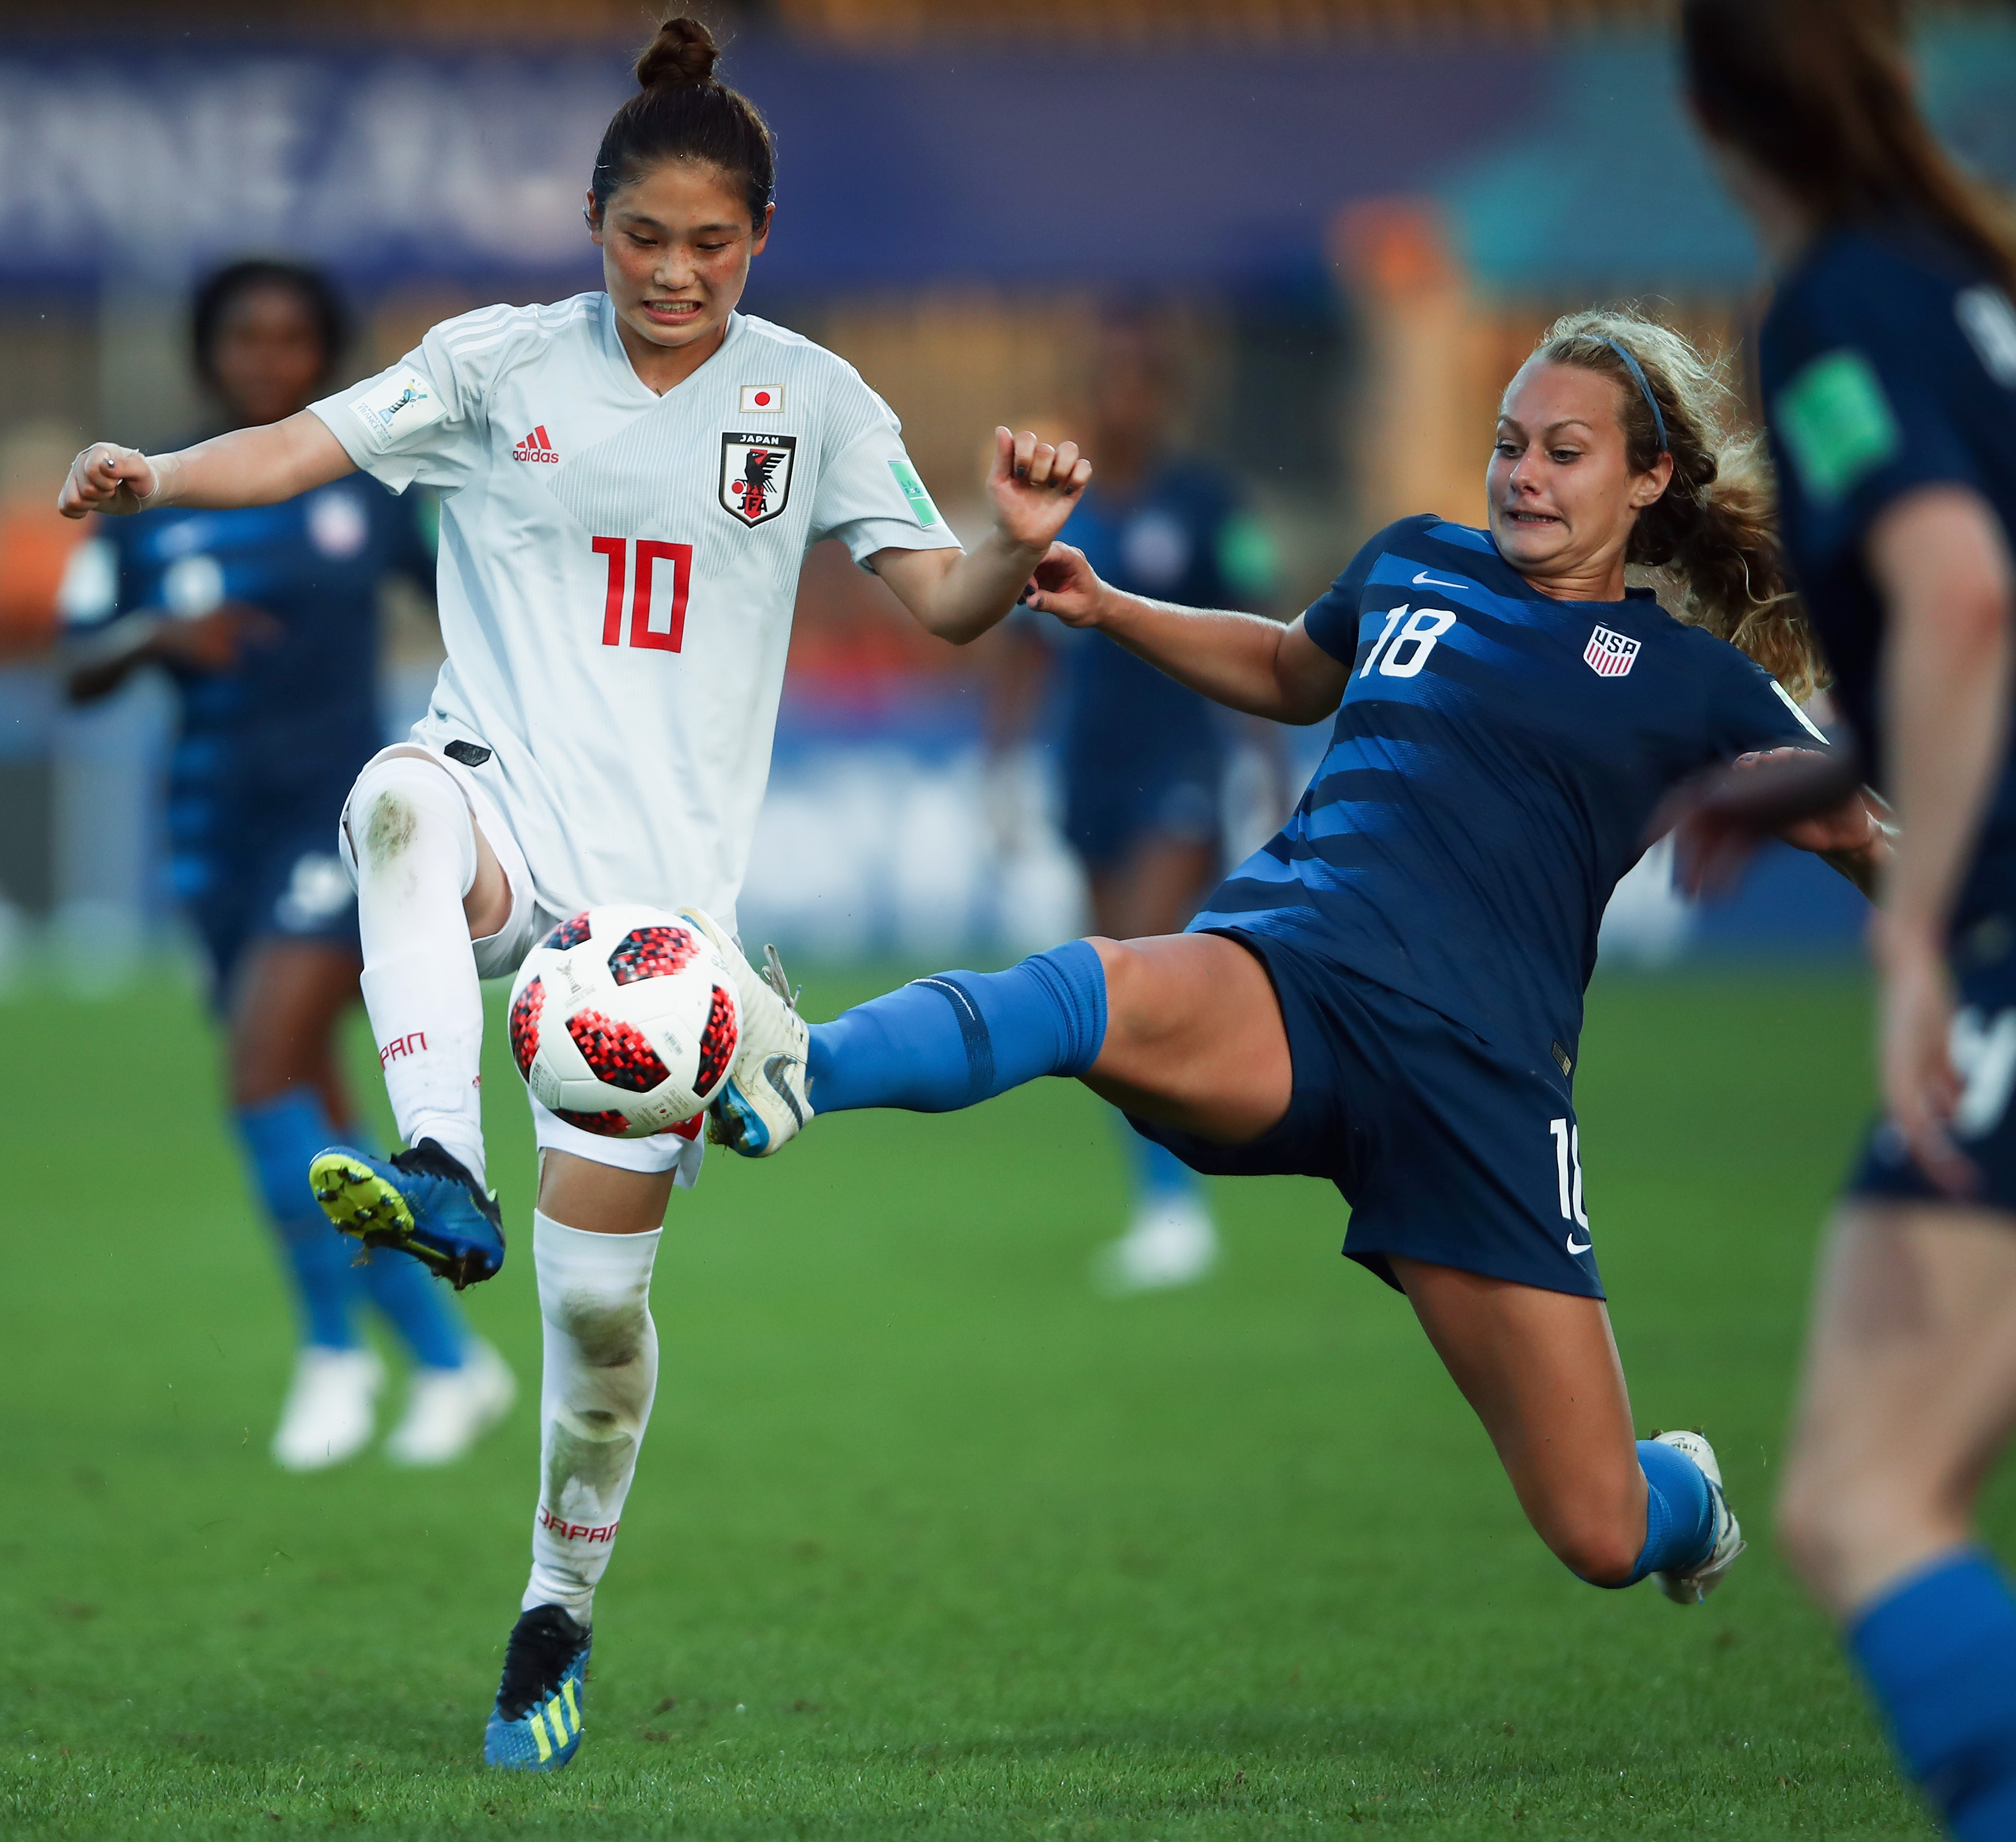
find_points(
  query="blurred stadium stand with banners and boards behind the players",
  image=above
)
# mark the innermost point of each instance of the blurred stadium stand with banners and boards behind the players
(1354, 245)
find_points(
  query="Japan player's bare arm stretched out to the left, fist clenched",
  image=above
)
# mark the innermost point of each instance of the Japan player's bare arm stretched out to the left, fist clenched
(243, 469)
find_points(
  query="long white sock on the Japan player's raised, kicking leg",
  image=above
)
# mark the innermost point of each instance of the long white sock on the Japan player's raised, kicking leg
(416, 860)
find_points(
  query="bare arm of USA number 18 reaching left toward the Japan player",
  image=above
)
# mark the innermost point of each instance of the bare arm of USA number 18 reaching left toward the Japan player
(1245, 662)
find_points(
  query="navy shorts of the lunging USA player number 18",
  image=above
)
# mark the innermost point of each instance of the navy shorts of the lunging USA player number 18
(1448, 1148)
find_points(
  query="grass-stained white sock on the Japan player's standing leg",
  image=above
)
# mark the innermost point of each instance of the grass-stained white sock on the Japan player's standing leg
(594, 1402)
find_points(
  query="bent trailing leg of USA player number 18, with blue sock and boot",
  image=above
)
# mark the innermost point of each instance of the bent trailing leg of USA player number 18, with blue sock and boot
(1541, 1371)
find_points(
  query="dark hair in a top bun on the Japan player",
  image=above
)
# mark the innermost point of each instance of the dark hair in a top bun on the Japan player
(682, 112)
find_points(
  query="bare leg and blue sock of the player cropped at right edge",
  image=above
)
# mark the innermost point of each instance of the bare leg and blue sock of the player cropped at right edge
(1908, 1400)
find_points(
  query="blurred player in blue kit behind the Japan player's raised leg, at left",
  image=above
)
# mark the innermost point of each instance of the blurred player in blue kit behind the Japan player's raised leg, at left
(267, 624)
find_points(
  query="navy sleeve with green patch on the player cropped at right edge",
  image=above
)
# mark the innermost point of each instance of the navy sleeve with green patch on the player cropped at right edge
(1868, 418)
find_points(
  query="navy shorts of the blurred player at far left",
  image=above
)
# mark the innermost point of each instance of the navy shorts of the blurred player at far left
(283, 884)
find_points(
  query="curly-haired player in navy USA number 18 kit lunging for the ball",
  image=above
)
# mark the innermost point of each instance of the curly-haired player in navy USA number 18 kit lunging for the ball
(1390, 995)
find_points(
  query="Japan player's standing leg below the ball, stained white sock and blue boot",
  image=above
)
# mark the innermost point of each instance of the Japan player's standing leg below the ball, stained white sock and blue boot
(596, 1402)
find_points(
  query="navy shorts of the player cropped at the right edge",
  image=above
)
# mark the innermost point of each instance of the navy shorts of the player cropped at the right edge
(1985, 1057)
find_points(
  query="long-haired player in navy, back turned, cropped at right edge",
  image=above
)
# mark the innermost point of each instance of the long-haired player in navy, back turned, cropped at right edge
(1890, 382)
